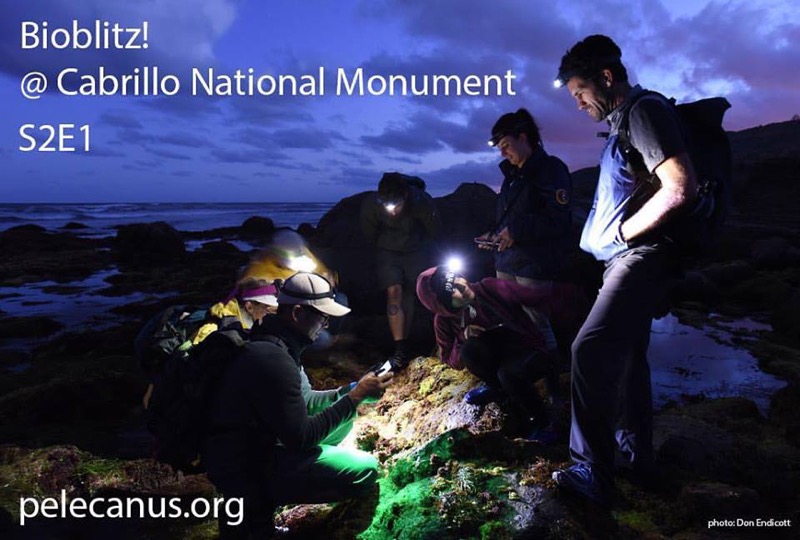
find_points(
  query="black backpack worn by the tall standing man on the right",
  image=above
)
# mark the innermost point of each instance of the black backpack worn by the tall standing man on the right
(695, 231)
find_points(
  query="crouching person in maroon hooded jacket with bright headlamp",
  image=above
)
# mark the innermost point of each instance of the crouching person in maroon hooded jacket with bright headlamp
(485, 327)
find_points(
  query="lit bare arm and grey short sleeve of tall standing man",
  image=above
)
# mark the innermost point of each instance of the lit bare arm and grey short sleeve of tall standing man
(656, 133)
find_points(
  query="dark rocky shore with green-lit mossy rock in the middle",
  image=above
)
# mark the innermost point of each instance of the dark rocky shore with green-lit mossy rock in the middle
(71, 419)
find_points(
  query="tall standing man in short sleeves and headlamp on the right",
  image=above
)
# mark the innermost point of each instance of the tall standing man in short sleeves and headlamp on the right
(611, 395)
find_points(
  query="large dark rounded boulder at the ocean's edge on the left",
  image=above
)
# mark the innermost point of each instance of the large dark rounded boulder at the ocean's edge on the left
(147, 243)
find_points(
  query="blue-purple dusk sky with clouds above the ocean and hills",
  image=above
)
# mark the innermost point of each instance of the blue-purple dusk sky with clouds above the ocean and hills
(327, 144)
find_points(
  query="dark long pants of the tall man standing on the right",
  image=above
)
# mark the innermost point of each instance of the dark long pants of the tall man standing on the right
(611, 393)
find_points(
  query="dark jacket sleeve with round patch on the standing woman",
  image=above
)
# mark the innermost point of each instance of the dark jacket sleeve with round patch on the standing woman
(548, 214)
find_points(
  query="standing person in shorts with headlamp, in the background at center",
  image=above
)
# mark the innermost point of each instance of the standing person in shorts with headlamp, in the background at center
(401, 220)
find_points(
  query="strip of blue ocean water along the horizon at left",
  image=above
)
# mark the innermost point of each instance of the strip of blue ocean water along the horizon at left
(101, 219)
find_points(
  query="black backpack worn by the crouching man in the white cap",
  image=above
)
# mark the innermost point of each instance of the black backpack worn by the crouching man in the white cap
(179, 409)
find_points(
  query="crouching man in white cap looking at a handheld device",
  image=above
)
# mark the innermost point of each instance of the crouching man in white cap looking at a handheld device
(272, 439)
